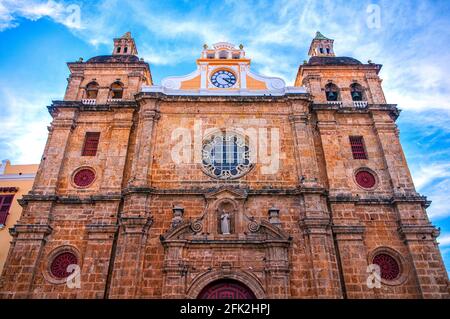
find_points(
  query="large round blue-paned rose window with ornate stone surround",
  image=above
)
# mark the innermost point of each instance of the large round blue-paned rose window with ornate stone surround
(226, 155)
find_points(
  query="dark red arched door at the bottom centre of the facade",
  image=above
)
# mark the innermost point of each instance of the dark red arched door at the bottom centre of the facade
(226, 289)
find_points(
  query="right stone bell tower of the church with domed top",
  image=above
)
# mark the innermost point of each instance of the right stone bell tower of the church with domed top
(378, 219)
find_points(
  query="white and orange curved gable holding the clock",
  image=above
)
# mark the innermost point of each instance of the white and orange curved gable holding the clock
(223, 69)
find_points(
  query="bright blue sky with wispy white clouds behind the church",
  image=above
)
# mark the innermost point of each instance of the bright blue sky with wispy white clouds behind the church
(411, 41)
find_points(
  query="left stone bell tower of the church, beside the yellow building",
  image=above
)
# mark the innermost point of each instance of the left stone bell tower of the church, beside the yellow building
(70, 216)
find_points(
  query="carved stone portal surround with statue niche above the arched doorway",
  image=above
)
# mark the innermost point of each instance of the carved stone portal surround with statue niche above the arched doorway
(220, 242)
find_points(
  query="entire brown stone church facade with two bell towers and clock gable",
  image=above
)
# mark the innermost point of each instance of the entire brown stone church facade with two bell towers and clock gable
(223, 184)
